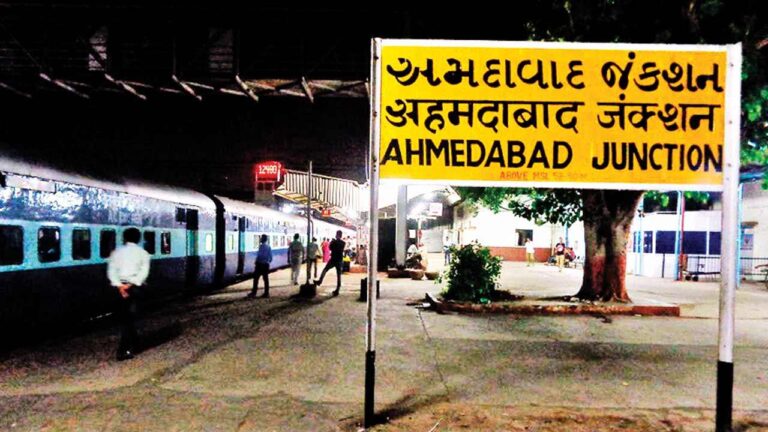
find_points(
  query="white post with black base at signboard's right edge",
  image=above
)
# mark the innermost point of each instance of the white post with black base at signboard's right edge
(730, 232)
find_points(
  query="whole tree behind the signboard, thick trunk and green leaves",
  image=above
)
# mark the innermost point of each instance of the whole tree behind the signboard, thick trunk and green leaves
(608, 214)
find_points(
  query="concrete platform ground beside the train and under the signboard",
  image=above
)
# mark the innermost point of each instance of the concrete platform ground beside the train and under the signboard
(223, 362)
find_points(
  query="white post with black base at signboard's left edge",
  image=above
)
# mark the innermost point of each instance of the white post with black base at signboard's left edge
(373, 218)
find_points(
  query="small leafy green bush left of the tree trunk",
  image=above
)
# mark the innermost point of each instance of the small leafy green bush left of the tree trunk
(472, 274)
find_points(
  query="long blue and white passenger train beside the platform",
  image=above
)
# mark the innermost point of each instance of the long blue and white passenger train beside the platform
(57, 230)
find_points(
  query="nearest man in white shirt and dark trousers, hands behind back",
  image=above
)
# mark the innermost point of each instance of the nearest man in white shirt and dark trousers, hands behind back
(127, 270)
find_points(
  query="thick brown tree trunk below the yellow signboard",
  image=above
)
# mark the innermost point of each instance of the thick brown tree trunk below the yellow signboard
(607, 219)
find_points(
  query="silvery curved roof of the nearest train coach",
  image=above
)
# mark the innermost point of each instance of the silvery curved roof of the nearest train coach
(10, 165)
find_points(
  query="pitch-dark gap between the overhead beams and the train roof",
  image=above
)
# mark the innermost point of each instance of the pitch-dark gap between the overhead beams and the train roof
(209, 146)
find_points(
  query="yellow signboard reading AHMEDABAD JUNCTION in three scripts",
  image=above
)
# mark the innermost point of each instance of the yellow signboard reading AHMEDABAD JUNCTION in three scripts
(569, 115)
